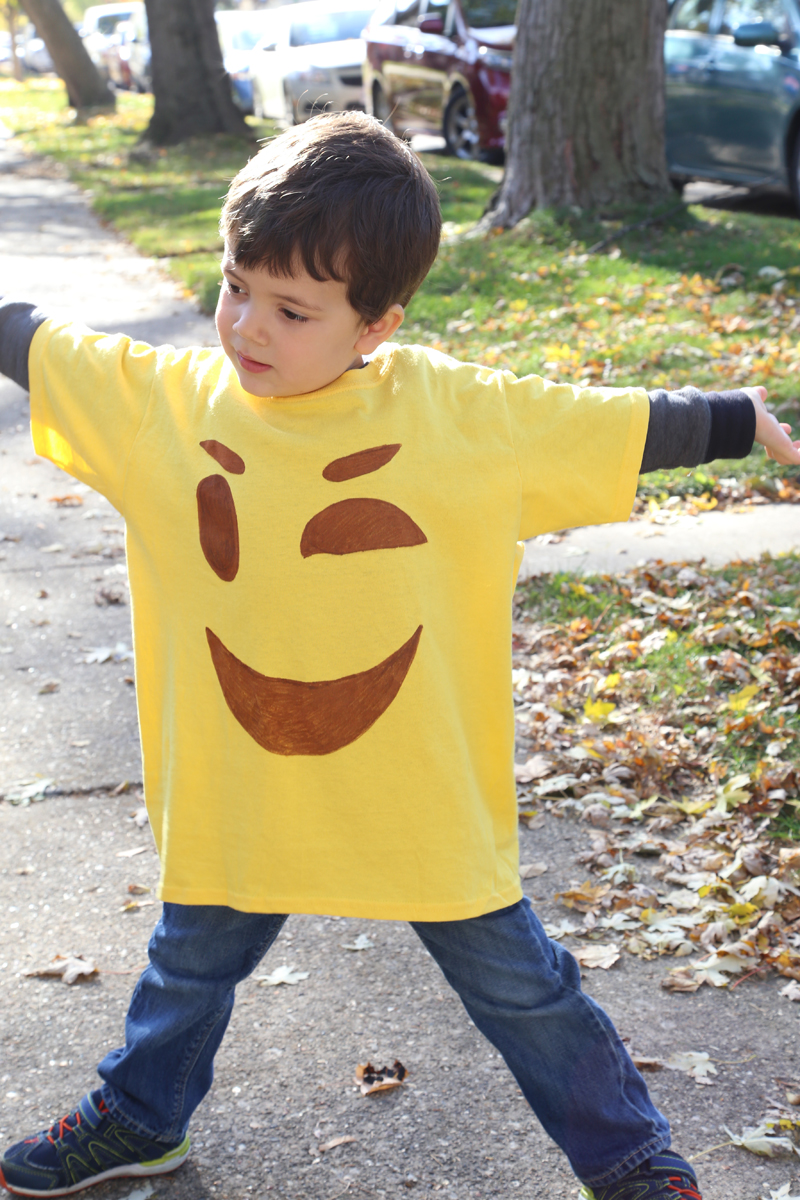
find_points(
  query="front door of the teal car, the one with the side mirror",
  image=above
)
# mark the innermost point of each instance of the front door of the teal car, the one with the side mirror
(753, 93)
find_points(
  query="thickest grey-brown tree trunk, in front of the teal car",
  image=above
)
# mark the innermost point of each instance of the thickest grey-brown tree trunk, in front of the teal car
(587, 107)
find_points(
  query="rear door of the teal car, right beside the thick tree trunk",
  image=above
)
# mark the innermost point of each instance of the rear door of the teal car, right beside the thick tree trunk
(688, 56)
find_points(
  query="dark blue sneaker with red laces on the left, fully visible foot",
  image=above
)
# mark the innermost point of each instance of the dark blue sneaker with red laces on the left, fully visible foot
(82, 1149)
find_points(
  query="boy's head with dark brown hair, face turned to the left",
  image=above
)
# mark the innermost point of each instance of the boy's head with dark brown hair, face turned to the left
(329, 233)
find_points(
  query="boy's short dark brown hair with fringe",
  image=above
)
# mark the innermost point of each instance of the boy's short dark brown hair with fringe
(347, 200)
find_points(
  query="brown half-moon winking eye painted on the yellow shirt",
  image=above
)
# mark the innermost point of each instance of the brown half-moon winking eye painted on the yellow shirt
(353, 526)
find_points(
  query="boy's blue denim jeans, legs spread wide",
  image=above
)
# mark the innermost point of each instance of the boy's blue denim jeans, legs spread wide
(521, 989)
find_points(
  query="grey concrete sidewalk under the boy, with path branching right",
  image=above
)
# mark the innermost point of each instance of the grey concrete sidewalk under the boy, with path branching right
(285, 1076)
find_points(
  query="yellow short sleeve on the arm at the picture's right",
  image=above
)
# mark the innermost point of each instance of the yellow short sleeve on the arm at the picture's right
(579, 451)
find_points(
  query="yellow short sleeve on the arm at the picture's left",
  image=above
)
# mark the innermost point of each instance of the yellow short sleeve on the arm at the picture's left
(89, 394)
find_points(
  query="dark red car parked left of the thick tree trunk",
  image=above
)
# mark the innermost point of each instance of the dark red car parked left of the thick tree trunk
(443, 67)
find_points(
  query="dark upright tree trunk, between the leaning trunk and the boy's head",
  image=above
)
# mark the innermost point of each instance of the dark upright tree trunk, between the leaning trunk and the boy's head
(190, 83)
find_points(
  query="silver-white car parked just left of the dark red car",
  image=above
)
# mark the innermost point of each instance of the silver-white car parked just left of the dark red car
(314, 63)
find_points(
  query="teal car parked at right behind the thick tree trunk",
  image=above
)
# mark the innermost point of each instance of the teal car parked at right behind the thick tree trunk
(733, 93)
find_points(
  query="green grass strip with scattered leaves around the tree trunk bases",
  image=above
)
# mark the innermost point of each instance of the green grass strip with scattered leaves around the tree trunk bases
(679, 302)
